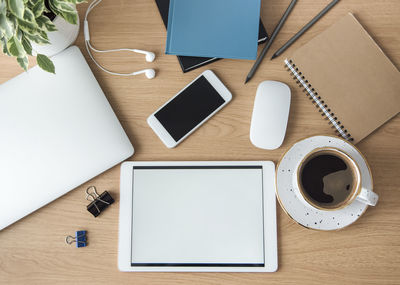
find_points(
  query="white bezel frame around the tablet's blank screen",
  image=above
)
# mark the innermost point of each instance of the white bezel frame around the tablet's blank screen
(125, 219)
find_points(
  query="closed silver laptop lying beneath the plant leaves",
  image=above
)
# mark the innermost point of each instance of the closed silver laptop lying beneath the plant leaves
(56, 132)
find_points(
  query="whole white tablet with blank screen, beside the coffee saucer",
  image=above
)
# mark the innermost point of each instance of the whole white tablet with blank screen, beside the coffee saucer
(198, 216)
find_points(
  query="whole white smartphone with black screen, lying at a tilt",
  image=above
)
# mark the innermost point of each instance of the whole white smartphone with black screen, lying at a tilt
(189, 109)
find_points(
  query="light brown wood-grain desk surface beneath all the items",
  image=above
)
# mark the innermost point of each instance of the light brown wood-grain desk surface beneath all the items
(32, 251)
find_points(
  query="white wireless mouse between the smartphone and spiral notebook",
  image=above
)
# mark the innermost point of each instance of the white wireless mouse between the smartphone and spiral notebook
(270, 115)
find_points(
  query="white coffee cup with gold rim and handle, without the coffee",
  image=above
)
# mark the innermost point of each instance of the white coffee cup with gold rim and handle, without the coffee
(357, 192)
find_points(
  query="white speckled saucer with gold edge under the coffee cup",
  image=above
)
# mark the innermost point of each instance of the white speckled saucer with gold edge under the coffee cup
(307, 216)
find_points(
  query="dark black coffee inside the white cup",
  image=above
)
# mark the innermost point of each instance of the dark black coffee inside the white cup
(327, 179)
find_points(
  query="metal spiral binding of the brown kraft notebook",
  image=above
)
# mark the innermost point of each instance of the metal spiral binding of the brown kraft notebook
(317, 100)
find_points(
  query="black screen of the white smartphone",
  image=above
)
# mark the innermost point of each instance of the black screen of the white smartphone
(189, 108)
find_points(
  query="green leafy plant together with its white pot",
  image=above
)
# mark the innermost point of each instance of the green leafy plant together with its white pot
(29, 27)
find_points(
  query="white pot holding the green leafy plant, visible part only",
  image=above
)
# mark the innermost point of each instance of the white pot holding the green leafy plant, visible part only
(65, 36)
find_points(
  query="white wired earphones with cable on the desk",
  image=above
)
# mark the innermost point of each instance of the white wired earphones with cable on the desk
(150, 56)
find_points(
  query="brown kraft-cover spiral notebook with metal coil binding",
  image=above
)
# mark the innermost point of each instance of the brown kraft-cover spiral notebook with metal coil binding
(349, 78)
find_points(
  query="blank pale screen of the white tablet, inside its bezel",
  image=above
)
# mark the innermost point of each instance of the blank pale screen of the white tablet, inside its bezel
(197, 216)
